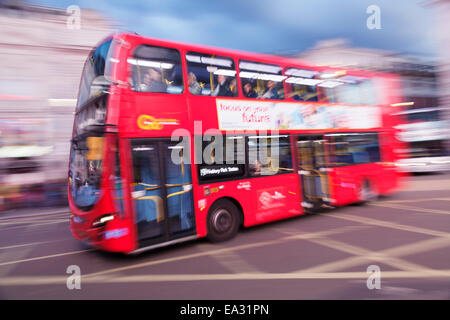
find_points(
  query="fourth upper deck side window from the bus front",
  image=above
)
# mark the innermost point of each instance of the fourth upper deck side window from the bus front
(302, 84)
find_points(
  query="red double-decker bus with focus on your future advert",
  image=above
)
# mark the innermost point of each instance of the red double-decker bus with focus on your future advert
(173, 142)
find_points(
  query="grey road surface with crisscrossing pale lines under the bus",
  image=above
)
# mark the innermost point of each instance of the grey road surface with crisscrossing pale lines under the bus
(406, 236)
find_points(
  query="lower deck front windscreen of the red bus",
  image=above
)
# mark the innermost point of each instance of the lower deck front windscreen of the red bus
(85, 171)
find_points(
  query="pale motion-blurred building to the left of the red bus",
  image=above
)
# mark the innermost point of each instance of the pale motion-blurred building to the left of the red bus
(41, 58)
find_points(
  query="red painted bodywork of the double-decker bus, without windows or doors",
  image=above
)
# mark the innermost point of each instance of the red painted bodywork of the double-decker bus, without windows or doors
(261, 199)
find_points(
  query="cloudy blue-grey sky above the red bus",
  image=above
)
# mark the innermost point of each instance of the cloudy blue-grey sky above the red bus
(273, 26)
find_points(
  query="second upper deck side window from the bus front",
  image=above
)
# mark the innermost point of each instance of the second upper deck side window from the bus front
(211, 75)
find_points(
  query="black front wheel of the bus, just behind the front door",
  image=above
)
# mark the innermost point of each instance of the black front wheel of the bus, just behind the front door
(223, 222)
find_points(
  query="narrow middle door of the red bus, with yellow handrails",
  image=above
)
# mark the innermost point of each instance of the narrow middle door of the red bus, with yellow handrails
(312, 169)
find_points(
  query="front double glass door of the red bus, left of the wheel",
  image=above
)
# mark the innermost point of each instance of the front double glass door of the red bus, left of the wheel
(162, 191)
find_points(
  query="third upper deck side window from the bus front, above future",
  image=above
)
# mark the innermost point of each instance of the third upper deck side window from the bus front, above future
(261, 80)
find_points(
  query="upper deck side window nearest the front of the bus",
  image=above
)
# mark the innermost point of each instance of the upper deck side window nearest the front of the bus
(156, 69)
